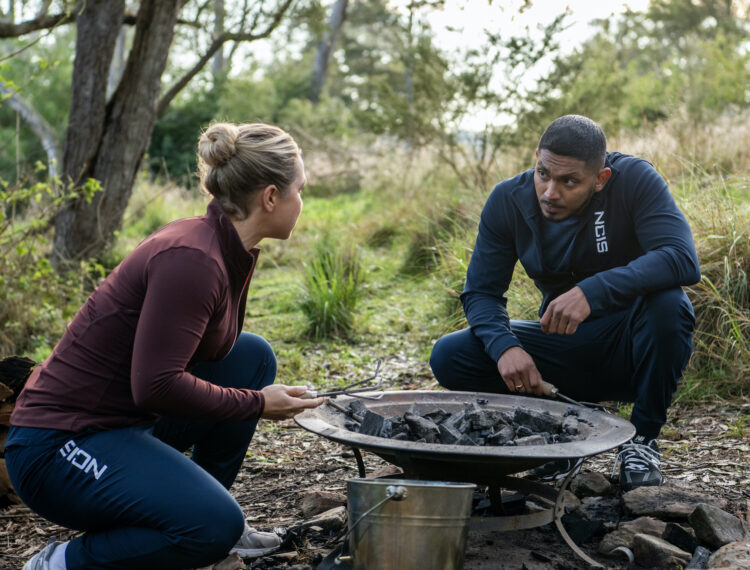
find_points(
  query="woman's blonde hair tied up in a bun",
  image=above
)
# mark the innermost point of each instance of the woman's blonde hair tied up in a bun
(235, 161)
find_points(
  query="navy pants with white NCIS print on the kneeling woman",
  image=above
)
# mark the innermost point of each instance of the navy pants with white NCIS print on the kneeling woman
(141, 502)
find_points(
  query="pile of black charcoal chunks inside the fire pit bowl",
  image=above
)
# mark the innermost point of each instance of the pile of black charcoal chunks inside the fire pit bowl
(475, 424)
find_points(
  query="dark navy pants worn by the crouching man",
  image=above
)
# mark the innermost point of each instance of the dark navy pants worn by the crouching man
(636, 355)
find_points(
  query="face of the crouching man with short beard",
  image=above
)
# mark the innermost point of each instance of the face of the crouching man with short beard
(564, 185)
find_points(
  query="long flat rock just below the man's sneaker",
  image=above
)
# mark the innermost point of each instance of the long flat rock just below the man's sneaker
(666, 502)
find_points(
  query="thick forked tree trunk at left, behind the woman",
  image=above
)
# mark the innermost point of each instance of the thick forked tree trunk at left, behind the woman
(106, 141)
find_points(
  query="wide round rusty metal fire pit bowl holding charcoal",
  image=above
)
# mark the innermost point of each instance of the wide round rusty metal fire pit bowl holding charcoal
(461, 463)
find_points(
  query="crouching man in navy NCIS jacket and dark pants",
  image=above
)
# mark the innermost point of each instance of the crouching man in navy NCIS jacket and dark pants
(602, 238)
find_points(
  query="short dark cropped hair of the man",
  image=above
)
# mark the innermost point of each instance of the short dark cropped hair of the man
(578, 137)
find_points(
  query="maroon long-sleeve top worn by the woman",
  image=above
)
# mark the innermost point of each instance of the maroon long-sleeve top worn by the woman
(125, 359)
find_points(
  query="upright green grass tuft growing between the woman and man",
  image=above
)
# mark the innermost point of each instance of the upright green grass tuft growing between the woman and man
(332, 286)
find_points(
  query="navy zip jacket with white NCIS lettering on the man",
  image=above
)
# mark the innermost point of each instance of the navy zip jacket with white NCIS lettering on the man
(630, 241)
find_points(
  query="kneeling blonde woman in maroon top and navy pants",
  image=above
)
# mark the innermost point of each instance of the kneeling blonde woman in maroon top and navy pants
(154, 364)
